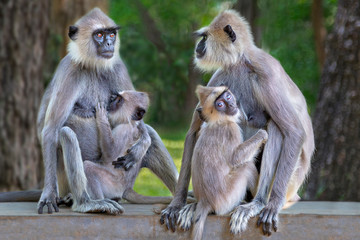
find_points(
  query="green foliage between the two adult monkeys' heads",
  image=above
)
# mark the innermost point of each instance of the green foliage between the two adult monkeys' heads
(161, 69)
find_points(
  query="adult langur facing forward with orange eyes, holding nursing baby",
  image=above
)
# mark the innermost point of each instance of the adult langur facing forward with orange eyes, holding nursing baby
(90, 73)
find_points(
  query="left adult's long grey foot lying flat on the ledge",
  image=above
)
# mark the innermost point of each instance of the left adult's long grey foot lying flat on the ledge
(99, 206)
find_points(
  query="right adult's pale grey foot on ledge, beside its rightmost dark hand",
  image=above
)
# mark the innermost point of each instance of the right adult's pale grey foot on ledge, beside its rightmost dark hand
(241, 215)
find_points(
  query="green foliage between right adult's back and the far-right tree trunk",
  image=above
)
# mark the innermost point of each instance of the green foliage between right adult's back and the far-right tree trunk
(288, 36)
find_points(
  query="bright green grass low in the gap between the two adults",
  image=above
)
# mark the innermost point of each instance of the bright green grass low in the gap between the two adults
(148, 183)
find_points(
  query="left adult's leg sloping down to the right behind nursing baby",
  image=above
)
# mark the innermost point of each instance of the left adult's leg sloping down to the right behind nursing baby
(159, 161)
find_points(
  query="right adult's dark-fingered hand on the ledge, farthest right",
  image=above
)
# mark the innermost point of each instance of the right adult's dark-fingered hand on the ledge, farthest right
(269, 218)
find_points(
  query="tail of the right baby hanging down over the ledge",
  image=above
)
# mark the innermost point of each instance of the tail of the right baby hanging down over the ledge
(201, 212)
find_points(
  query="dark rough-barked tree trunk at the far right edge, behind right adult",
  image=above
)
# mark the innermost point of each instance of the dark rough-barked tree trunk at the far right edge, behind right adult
(335, 174)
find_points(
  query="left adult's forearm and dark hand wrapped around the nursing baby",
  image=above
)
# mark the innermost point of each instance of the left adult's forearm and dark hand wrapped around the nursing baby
(137, 151)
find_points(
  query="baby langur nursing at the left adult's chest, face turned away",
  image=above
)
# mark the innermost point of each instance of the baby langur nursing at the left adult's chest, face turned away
(118, 131)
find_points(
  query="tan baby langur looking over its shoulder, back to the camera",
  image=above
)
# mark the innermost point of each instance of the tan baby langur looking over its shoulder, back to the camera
(223, 165)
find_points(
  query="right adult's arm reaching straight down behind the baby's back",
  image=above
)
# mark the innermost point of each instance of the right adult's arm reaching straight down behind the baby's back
(170, 214)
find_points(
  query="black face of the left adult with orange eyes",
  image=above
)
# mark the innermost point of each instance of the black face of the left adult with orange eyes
(105, 41)
